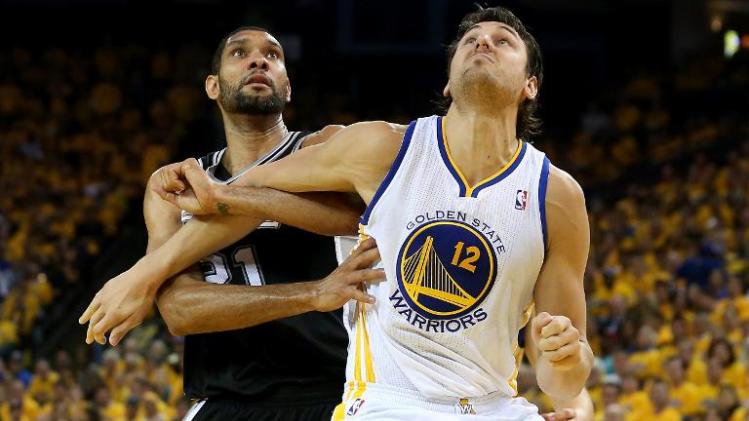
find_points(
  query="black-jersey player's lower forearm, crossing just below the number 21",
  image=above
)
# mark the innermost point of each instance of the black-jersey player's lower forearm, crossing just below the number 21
(191, 306)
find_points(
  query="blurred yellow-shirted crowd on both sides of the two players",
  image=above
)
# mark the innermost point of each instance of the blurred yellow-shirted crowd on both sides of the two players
(667, 277)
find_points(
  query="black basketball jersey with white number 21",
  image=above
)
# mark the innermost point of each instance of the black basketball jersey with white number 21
(296, 359)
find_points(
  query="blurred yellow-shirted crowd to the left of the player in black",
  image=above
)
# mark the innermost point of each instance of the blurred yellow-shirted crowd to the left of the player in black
(81, 133)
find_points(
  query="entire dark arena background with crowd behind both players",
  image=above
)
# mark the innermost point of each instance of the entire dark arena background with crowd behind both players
(644, 102)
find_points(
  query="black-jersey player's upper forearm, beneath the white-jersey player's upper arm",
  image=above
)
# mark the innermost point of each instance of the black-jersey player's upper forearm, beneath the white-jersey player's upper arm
(321, 213)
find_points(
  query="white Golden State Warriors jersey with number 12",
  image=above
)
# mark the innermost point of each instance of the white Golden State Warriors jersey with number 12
(461, 264)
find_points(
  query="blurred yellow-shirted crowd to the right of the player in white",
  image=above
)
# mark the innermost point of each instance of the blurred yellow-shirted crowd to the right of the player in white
(668, 273)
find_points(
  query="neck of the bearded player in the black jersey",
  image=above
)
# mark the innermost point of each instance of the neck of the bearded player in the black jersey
(248, 137)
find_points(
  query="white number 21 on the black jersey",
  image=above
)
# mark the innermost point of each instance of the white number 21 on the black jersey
(219, 270)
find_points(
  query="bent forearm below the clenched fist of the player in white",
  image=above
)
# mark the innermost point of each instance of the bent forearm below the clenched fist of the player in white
(562, 382)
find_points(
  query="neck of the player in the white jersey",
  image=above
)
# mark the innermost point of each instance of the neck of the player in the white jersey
(481, 142)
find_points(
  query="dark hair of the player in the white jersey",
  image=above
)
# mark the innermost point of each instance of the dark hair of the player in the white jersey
(527, 124)
